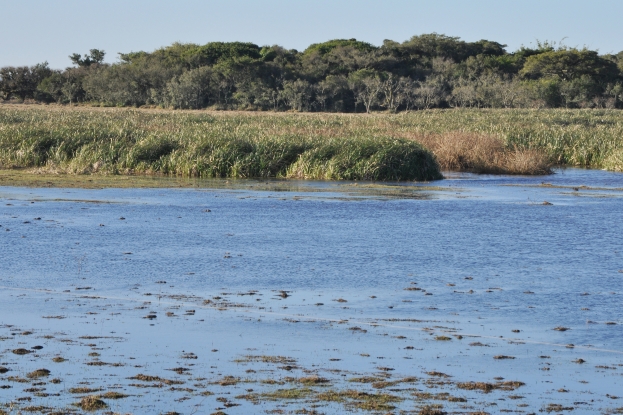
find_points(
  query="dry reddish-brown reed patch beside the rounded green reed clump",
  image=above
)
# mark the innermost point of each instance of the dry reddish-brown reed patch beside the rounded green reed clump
(483, 153)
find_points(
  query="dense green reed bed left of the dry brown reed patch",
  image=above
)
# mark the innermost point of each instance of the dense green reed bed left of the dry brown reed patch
(122, 141)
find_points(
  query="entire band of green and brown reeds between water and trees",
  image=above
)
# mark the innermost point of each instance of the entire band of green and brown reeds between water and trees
(406, 146)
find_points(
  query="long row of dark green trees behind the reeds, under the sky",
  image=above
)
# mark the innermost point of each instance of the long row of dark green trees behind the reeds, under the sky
(342, 75)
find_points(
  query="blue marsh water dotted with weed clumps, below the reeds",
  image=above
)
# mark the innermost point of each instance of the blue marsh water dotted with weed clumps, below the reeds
(470, 279)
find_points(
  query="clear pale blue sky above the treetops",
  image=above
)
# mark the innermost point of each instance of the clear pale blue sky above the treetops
(34, 31)
